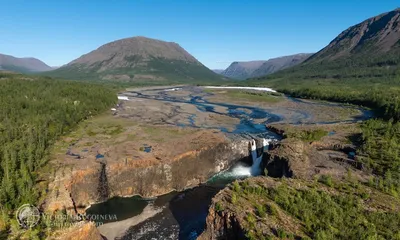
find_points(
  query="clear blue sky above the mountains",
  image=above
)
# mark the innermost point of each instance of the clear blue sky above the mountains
(215, 32)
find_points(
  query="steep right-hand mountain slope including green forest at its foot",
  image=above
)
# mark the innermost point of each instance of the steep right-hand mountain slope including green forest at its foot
(360, 66)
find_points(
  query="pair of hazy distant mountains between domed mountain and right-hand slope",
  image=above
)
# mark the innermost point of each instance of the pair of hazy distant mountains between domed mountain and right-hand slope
(244, 70)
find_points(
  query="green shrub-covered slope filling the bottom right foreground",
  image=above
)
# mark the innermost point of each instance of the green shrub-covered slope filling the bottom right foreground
(320, 209)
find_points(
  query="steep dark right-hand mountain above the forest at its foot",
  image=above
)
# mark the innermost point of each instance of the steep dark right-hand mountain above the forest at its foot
(368, 51)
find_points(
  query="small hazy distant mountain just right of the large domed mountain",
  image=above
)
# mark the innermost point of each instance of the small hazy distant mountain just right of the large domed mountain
(241, 70)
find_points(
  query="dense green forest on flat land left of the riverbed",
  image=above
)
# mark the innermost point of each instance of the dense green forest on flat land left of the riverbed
(34, 113)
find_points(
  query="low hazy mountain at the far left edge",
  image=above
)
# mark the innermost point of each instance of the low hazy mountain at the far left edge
(22, 65)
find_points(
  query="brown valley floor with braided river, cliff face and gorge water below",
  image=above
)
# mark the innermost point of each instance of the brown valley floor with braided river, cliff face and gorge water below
(166, 151)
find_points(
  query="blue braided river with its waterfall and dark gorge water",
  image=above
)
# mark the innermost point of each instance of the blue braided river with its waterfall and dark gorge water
(182, 215)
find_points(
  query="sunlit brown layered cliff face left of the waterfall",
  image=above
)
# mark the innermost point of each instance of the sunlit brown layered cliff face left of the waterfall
(150, 179)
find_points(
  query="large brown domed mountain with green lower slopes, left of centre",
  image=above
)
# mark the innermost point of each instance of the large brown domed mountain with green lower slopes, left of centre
(139, 59)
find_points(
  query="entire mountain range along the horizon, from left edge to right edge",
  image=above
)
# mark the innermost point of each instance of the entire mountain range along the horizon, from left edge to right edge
(371, 44)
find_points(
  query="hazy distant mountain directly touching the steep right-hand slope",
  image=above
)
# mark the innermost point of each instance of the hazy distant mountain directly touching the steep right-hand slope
(280, 63)
